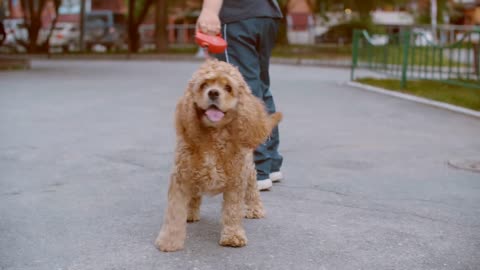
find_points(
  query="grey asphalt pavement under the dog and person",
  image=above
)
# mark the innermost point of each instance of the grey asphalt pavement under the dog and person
(86, 149)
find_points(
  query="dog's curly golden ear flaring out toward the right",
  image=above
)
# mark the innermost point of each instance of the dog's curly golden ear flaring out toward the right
(254, 124)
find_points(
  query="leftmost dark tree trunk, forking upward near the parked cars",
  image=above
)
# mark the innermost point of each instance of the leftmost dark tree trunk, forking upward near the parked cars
(32, 12)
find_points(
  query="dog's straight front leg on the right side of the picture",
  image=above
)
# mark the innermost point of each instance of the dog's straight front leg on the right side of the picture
(233, 234)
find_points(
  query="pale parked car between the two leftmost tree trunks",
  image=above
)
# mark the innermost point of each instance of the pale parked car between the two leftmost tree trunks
(65, 36)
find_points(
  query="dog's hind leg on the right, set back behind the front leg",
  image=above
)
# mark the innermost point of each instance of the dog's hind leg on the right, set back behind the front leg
(253, 203)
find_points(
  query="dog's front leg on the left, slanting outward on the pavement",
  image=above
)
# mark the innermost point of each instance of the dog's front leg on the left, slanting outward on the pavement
(173, 232)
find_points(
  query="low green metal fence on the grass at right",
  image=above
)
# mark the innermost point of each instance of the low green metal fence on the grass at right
(413, 54)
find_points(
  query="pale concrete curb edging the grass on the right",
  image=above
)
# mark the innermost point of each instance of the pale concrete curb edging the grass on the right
(416, 99)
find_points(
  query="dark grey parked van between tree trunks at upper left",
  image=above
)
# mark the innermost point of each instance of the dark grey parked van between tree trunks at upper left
(105, 28)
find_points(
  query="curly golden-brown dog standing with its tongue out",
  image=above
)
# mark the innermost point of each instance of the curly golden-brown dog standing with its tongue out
(219, 123)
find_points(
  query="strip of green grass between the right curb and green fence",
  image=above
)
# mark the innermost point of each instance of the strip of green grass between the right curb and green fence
(435, 90)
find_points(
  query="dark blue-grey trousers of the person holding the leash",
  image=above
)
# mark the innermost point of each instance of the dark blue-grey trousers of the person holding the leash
(250, 43)
